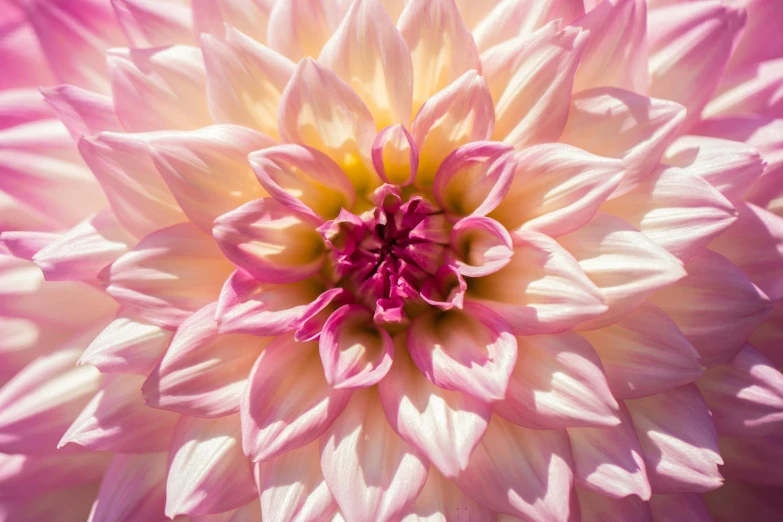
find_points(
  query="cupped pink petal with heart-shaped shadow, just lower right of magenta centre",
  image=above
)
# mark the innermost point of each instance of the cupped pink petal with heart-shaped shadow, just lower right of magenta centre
(470, 351)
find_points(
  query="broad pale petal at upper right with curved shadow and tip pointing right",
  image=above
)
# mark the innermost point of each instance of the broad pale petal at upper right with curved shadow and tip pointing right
(641, 129)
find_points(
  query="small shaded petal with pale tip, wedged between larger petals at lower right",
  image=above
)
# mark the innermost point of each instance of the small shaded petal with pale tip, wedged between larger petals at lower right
(609, 459)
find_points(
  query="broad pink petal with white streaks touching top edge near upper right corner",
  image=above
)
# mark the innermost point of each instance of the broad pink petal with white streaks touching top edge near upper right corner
(690, 46)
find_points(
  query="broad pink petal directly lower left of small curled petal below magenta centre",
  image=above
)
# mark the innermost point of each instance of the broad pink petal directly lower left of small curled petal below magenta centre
(288, 403)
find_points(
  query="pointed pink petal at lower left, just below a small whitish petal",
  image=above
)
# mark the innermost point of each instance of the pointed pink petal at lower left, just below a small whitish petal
(116, 419)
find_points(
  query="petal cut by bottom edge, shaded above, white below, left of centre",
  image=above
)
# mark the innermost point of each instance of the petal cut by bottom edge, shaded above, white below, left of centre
(293, 488)
